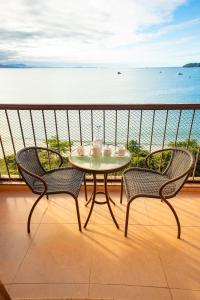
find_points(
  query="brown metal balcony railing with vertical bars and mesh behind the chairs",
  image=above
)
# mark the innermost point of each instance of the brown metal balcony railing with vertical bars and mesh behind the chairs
(141, 127)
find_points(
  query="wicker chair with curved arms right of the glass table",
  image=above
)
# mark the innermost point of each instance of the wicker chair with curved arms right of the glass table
(145, 182)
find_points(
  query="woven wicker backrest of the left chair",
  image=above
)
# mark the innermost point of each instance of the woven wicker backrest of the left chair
(28, 162)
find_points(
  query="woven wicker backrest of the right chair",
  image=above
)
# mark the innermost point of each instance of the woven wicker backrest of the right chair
(180, 164)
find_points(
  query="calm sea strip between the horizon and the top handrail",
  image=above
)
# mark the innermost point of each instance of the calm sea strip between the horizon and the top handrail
(100, 85)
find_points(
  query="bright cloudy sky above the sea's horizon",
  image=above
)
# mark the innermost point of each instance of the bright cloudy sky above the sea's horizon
(138, 33)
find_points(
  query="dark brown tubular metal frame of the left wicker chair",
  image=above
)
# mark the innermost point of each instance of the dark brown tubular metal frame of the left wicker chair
(45, 193)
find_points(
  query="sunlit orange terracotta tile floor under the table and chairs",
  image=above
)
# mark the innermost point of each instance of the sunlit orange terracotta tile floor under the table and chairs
(56, 260)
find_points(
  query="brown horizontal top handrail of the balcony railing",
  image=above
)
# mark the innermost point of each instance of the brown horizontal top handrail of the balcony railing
(150, 106)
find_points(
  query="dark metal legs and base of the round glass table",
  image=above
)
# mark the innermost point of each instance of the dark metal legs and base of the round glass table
(93, 199)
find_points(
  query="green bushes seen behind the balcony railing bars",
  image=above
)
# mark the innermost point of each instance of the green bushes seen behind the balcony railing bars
(138, 155)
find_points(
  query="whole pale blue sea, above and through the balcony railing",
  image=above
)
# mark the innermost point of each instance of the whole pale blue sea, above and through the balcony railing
(100, 85)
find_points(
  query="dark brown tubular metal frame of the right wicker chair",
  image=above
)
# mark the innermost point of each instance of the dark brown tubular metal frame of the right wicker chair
(161, 195)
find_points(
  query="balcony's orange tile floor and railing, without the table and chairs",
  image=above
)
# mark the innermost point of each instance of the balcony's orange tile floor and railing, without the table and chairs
(56, 260)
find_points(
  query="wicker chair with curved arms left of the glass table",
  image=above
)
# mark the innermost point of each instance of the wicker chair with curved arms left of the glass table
(55, 181)
